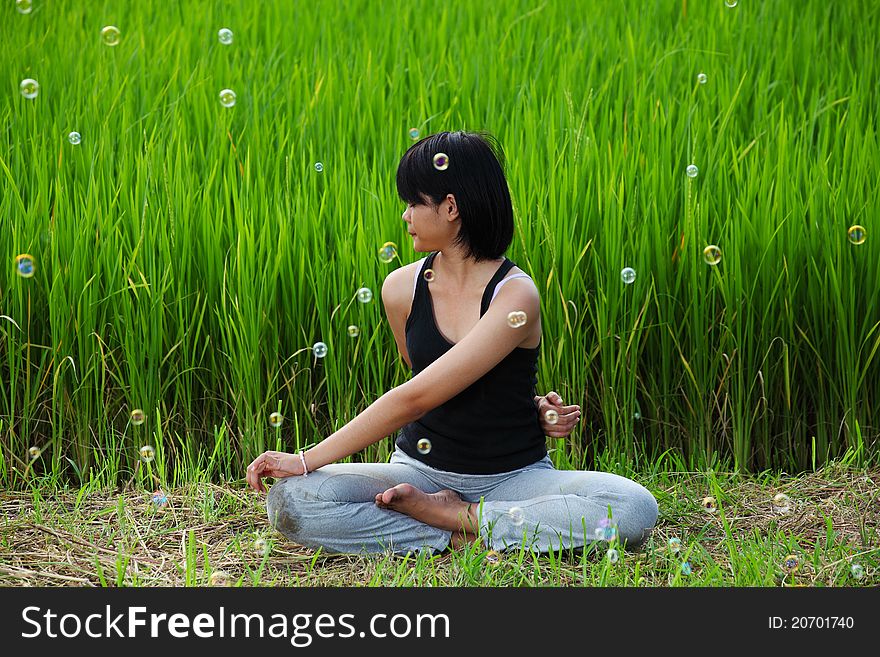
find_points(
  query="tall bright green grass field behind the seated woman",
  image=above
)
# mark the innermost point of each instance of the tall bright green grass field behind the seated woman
(189, 255)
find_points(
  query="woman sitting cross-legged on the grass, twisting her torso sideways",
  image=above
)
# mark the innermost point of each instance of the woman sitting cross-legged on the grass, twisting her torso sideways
(470, 460)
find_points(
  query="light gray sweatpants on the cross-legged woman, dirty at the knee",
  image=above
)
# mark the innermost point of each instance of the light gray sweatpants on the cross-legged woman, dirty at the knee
(334, 507)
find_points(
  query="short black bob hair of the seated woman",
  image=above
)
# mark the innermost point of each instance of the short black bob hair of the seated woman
(475, 176)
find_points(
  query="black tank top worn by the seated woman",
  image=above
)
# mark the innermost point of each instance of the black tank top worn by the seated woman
(490, 427)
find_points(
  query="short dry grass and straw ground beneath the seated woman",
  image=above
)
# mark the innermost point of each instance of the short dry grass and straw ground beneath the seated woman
(66, 538)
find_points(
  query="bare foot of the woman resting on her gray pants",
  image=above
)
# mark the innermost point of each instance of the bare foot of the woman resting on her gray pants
(444, 509)
